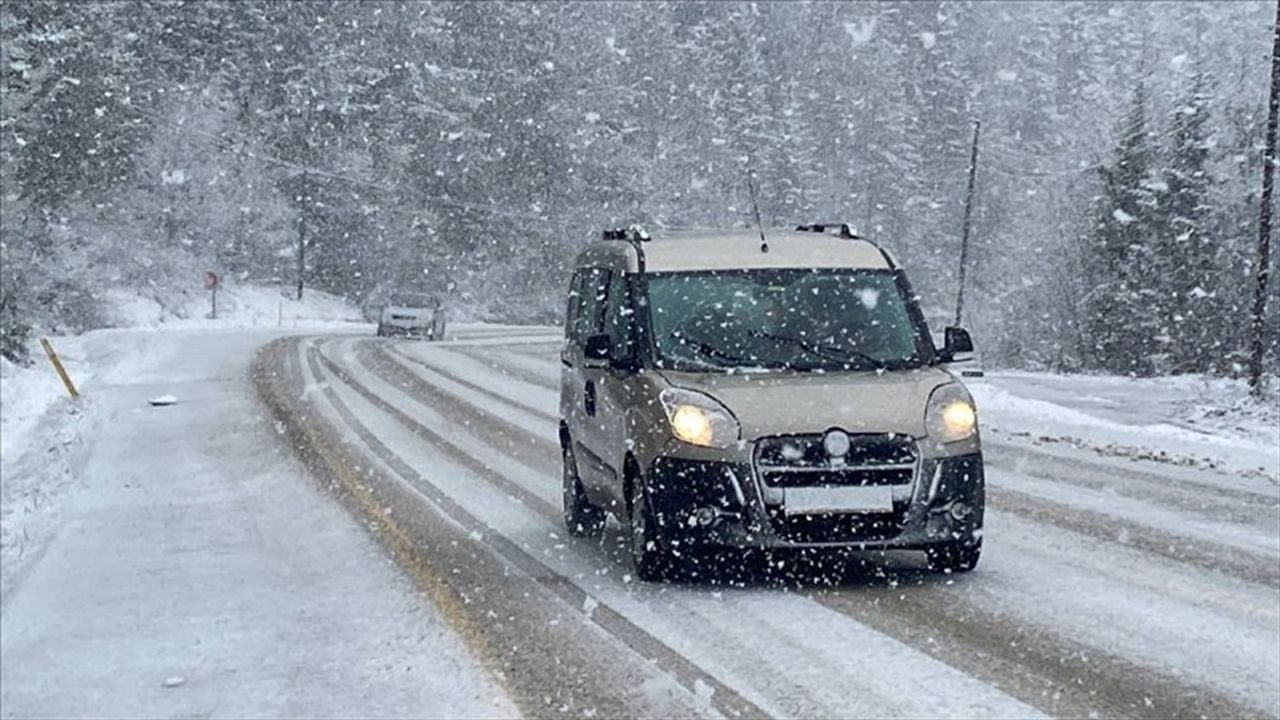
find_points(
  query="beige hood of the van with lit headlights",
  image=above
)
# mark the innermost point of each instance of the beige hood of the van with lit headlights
(771, 404)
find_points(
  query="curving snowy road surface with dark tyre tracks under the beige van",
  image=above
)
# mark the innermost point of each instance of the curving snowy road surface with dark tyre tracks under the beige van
(1108, 587)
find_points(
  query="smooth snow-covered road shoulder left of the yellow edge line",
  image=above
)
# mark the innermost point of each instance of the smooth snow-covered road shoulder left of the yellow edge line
(198, 571)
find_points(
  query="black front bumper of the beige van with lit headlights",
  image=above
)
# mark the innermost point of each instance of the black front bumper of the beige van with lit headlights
(725, 505)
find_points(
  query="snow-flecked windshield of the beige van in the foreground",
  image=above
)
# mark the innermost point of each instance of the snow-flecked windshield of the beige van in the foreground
(783, 320)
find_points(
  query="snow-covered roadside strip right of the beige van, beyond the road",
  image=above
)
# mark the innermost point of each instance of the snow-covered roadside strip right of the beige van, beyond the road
(1186, 421)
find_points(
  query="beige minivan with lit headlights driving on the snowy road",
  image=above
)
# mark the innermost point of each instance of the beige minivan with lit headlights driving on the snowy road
(769, 391)
